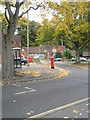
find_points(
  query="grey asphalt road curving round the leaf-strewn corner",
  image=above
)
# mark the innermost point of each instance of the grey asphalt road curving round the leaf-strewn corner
(28, 99)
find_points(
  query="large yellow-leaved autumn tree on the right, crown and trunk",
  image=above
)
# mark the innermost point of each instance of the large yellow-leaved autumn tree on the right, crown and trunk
(74, 17)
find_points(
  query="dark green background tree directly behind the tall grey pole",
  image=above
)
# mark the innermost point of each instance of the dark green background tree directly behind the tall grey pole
(22, 30)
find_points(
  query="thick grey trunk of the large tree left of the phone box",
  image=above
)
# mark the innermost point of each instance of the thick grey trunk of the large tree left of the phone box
(8, 65)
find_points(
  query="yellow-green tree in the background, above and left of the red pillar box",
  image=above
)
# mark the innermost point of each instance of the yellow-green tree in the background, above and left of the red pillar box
(45, 33)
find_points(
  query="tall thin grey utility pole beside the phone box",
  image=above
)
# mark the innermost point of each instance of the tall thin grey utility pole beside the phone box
(28, 38)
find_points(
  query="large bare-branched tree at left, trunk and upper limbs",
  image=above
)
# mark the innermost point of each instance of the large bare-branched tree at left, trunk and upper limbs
(12, 15)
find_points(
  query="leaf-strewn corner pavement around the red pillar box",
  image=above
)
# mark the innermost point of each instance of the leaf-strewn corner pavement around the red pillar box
(36, 72)
